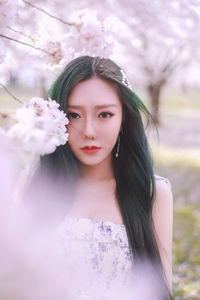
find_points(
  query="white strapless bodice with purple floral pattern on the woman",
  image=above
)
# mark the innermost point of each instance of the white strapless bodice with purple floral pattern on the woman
(98, 249)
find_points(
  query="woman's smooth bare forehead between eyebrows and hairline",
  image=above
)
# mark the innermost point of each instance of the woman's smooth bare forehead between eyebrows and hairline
(94, 92)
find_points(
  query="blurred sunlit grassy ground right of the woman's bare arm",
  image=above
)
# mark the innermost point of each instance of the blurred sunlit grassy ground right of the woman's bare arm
(184, 175)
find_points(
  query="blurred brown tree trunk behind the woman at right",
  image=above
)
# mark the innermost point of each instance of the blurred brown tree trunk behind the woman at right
(154, 91)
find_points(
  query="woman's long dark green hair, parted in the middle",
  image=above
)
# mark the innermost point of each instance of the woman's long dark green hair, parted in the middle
(133, 169)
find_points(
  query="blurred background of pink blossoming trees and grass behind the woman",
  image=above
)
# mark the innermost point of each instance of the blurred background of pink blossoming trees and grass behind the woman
(157, 44)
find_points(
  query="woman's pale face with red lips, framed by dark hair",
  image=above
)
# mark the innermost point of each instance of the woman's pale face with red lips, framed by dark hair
(95, 118)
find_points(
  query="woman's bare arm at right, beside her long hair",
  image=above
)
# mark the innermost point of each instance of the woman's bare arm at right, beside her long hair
(162, 214)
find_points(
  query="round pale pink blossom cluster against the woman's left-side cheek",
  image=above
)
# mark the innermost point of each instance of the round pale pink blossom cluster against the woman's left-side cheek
(40, 127)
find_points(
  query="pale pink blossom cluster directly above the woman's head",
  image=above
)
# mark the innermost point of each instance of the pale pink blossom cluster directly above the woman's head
(87, 36)
